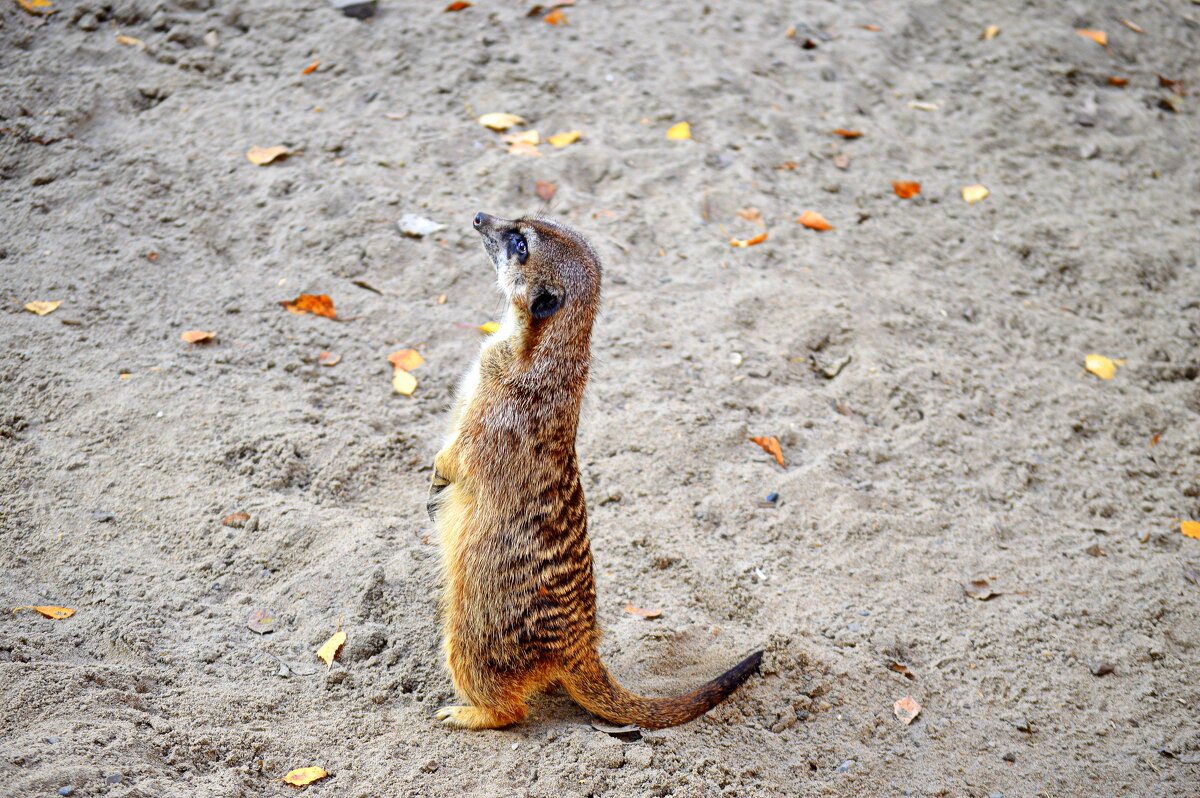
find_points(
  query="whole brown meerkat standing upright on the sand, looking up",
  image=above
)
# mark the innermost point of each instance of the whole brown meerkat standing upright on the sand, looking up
(519, 602)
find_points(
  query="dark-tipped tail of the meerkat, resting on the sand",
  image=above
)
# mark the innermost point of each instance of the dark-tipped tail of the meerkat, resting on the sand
(595, 689)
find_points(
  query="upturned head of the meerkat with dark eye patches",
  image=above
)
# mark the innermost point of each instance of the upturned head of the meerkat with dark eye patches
(545, 269)
